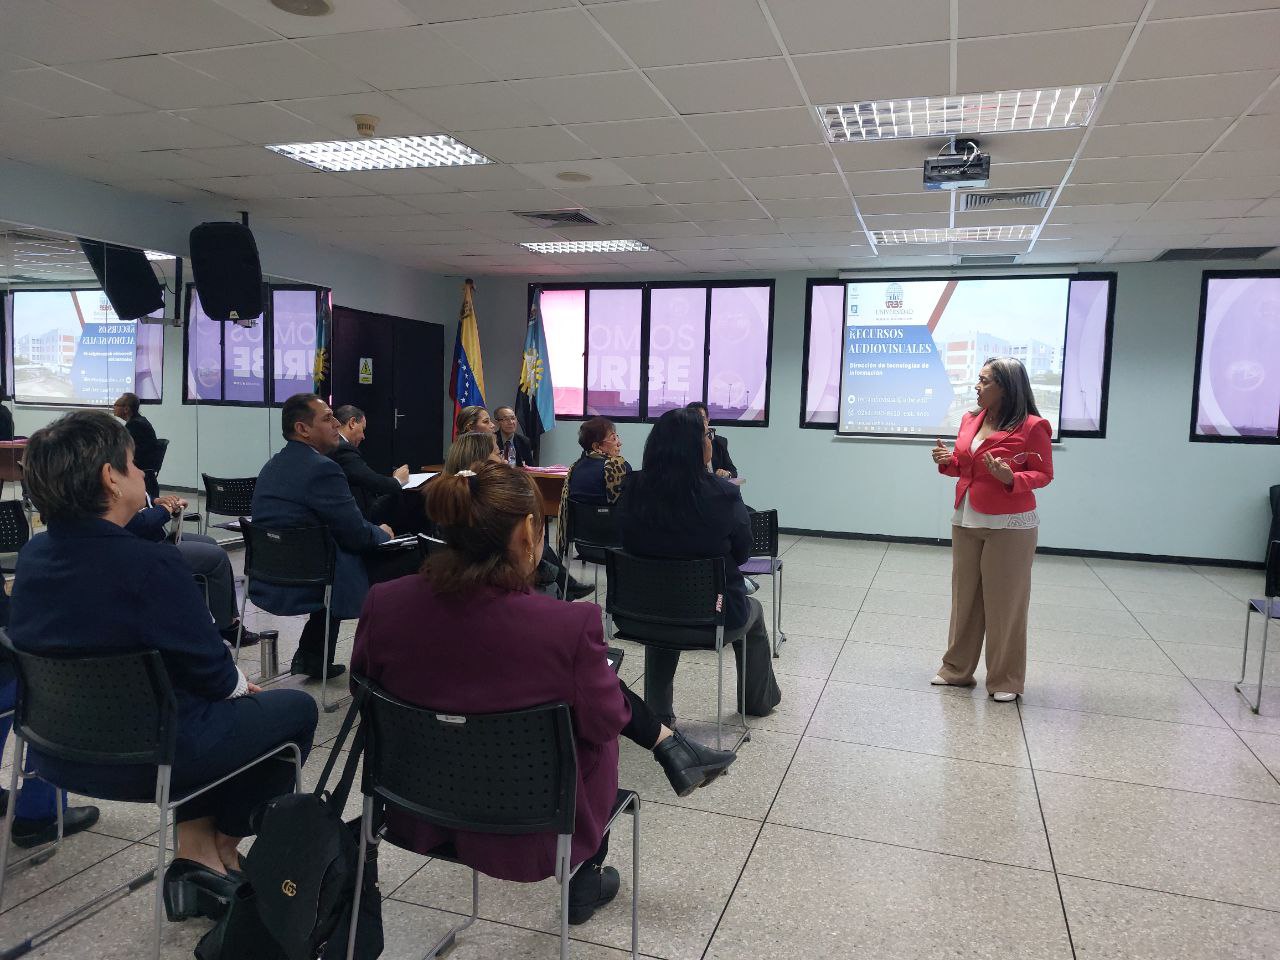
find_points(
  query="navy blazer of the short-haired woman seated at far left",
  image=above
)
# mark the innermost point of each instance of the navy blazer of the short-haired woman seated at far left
(94, 587)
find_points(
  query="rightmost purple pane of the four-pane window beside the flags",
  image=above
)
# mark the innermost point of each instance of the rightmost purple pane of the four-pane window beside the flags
(738, 362)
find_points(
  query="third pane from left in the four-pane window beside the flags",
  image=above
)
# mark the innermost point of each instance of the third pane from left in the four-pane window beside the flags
(678, 333)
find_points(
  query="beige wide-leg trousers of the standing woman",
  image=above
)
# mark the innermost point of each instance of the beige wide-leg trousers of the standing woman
(991, 589)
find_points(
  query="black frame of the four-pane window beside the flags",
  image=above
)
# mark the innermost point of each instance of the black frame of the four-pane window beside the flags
(646, 304)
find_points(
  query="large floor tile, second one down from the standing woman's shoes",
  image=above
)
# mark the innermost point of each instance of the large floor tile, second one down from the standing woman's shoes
(981, 811)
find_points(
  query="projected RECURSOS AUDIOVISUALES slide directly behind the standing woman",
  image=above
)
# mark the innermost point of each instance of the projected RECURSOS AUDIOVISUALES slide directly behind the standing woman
(912, 350)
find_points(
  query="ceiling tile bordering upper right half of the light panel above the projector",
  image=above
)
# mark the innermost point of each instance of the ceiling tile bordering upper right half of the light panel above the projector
(1031, 61)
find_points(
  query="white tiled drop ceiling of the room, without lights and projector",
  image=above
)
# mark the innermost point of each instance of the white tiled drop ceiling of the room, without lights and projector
(193, 116)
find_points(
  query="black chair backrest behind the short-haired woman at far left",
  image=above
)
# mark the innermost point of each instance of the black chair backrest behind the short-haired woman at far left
(107, 710)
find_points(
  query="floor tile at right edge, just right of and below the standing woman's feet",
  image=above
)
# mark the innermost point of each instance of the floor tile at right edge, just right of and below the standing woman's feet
(1205, 760)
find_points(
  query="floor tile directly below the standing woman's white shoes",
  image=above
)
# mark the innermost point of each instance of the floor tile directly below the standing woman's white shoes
(968, 729)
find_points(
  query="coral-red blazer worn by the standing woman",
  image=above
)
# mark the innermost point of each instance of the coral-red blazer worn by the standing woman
(986, 493)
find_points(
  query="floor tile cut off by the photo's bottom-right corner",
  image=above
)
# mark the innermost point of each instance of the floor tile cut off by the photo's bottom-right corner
(1112, 922)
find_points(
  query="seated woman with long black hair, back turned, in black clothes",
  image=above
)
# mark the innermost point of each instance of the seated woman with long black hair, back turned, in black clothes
(675, 509)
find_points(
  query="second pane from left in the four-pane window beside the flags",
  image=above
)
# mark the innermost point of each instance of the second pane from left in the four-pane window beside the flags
(614, 354)
